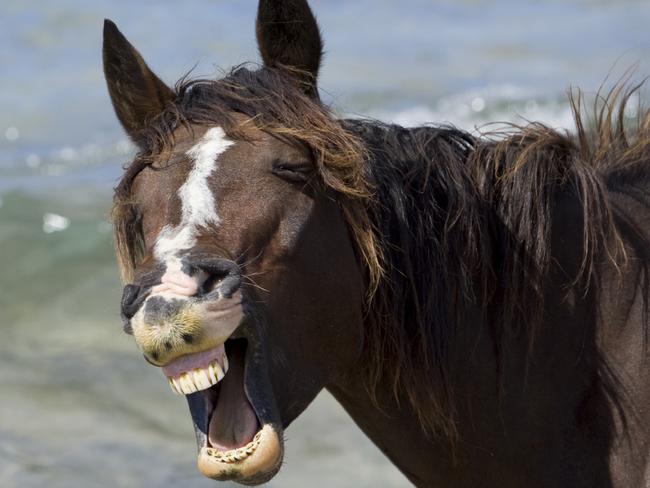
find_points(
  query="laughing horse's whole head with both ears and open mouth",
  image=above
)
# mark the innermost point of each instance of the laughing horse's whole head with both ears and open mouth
(243, 283)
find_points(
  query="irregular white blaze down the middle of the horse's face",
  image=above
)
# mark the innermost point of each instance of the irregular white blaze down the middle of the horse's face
(197, 201)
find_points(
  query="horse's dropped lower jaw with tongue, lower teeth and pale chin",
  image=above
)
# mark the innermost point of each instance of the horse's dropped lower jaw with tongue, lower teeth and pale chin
(237, 437)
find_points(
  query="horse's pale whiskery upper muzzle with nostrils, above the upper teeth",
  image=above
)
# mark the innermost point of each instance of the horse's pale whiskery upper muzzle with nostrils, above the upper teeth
(190, 308)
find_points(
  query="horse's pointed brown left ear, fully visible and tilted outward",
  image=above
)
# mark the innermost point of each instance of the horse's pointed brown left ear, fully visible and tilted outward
(138, 95)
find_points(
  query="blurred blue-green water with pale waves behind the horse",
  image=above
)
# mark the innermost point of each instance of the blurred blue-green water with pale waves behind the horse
(78, 405)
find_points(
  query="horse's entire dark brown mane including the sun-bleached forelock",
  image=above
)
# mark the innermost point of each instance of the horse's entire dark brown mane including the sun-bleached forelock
(443, 221)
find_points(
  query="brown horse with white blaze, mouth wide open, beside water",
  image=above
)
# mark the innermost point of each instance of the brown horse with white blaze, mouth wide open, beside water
(477, 303)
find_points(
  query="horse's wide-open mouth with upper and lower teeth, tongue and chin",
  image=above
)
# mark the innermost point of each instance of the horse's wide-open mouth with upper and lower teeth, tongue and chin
(235, 439)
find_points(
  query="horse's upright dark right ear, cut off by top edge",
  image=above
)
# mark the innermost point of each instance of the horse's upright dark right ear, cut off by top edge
(288, 36)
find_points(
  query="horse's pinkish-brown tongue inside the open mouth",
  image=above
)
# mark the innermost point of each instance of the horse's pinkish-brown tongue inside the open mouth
(233, 423)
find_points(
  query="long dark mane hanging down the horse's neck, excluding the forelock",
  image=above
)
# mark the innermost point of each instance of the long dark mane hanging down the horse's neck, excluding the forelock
(466, 224)
